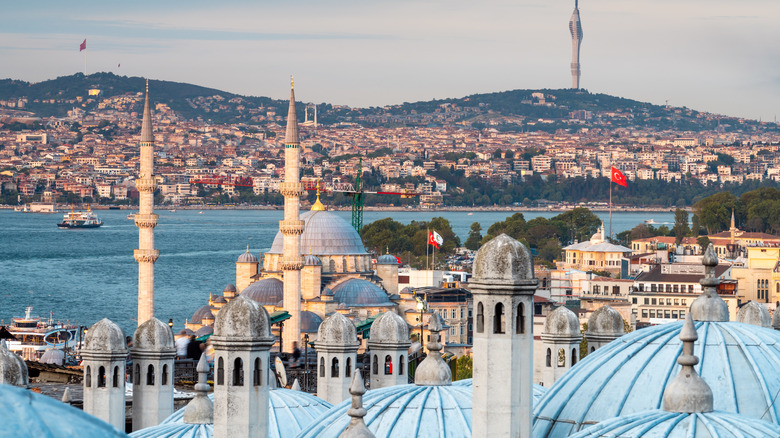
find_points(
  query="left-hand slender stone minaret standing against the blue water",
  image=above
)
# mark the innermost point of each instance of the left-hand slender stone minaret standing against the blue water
(145, 219)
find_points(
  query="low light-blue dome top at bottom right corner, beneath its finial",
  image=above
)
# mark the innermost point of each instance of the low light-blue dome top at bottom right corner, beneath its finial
(664, 424)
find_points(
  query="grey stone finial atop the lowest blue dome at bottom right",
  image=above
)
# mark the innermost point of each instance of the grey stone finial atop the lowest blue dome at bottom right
(688, 393)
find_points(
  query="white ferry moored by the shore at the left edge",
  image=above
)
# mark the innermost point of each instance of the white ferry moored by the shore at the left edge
(33, 336)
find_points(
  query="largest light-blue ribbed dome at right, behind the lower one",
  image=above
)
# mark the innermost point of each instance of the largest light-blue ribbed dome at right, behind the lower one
(630, 375)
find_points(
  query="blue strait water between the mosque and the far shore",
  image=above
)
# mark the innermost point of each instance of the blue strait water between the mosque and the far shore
(85, 275)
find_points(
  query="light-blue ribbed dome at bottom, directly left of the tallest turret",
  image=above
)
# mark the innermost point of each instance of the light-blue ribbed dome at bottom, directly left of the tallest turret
(403, 411)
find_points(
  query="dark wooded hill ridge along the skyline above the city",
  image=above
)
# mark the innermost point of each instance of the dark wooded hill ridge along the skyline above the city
(547, 110)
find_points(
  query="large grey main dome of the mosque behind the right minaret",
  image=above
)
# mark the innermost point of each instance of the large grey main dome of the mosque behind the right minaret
(324, 233)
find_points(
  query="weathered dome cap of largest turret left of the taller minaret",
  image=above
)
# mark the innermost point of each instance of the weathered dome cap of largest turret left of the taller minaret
(242, 318)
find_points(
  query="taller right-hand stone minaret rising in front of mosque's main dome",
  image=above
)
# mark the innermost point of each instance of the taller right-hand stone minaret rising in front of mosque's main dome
(292, 227)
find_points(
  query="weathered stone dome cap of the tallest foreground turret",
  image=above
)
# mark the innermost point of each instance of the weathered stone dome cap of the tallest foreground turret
(503, 260)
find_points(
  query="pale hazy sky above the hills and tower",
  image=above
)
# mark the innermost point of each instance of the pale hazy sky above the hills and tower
(721, 56)
